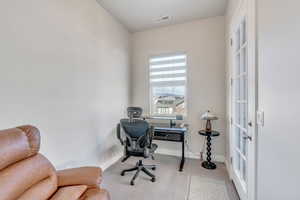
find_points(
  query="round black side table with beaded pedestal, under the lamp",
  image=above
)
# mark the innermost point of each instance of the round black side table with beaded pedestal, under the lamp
(208, 164)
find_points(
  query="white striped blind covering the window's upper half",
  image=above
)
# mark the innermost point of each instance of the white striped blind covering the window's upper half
(168, 70)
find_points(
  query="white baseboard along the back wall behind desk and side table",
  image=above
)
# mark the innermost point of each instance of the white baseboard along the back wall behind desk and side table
(216, 158)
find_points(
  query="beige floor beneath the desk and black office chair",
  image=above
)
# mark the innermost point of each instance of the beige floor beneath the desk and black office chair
(170, 184)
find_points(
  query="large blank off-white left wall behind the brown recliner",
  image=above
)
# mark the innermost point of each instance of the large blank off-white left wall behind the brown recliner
(64, 68)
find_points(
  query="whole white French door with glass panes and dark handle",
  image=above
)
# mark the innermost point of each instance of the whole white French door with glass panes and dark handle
(243, 101)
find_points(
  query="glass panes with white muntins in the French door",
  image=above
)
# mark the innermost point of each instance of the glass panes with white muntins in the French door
(240, 109)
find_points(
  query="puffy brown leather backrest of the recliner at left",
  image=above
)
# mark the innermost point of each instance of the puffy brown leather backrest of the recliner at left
(24, 172)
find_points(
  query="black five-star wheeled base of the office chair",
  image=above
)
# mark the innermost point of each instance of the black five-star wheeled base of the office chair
(138, 168)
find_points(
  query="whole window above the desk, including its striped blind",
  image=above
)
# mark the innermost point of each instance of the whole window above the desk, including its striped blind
(168, 85)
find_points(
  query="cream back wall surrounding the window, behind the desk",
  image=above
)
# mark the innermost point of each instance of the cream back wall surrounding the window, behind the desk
(203, 41)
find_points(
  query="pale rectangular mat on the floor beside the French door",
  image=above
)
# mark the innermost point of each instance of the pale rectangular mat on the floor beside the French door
(207, 189)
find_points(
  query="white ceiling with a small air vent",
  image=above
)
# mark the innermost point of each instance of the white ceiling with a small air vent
(139, 15)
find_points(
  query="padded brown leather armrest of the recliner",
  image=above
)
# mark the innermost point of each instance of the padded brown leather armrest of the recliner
(90, 176)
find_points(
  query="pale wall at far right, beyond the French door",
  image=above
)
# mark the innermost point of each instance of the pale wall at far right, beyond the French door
(279, 97)
